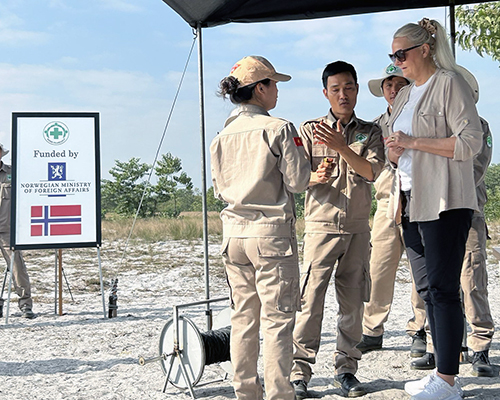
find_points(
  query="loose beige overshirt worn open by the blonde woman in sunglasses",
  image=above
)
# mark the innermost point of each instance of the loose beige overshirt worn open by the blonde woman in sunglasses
(439, 183)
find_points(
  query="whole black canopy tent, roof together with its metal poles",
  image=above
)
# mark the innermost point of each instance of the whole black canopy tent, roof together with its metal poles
(208, 13)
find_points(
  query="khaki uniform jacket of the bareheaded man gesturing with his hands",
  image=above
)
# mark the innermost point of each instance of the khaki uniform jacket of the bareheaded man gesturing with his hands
(343, 204)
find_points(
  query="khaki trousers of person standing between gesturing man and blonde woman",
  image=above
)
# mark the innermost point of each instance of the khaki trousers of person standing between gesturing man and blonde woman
(387, 249)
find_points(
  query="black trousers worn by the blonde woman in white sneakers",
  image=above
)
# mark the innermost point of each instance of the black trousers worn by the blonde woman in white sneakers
(436, 251)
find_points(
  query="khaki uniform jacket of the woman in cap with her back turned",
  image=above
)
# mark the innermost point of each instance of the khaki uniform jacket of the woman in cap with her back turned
(258, 161)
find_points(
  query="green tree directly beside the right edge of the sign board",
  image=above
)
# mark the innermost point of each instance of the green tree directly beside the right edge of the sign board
(122, 195)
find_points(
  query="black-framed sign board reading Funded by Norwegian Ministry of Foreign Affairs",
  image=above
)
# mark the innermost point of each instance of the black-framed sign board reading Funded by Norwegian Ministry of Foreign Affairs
(56, 200)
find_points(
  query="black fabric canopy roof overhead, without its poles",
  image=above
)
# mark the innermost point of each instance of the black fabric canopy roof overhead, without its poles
(207, 13)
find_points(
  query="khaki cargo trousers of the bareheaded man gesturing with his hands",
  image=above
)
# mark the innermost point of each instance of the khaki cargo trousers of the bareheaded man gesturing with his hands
(351, 253)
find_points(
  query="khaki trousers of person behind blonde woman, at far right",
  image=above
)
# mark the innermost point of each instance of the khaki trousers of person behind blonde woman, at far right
(474, 283)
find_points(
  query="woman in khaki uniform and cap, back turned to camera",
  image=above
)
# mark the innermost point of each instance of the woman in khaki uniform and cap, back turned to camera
(257, 162)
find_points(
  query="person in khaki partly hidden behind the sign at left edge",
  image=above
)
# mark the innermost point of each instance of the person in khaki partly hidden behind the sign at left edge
(19, 272)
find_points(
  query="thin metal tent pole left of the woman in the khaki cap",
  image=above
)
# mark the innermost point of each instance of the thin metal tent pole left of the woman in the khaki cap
(203, 175)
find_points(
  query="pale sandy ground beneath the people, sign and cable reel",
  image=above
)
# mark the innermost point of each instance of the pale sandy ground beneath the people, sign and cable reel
(81, 355)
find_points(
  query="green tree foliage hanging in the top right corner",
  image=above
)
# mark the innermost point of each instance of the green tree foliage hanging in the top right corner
(482, 28)
